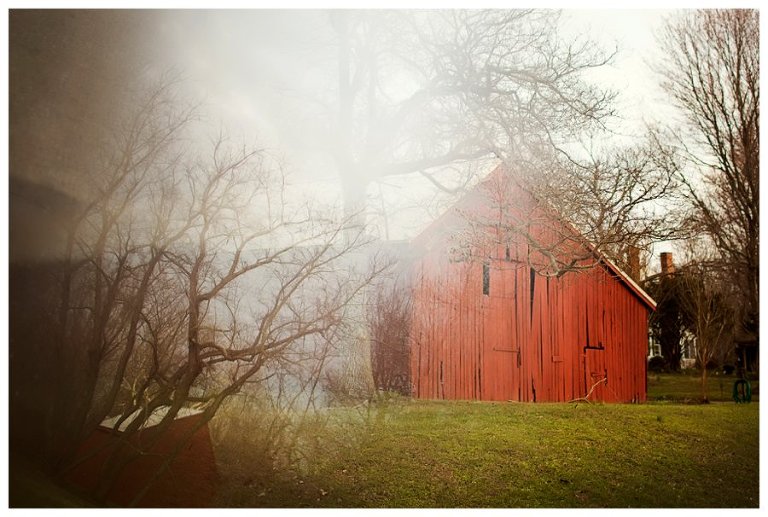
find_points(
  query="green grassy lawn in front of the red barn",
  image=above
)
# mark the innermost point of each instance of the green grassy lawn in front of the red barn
(469, 454)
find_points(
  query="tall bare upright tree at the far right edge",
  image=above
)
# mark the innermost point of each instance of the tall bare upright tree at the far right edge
(711, 72)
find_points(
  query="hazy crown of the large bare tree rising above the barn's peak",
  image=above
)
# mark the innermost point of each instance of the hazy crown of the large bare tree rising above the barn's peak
(420, 91)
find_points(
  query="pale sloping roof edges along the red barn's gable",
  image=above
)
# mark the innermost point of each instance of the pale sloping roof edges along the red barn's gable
(439, 225)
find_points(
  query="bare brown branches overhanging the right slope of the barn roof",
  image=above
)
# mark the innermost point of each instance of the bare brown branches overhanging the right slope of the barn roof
(573, 215)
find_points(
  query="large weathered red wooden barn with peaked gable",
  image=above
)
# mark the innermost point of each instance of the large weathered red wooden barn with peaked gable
(494, 317)
